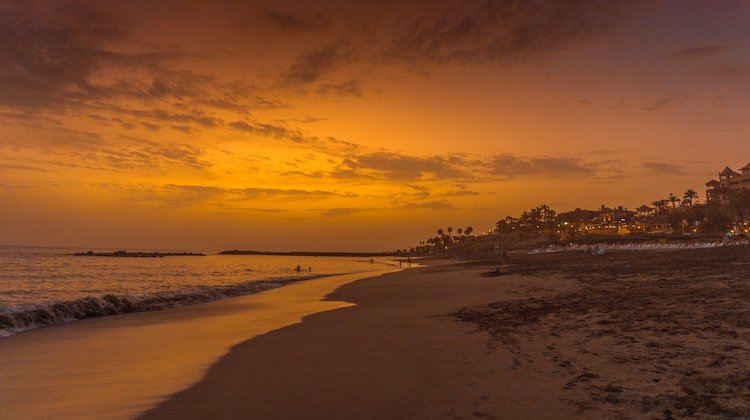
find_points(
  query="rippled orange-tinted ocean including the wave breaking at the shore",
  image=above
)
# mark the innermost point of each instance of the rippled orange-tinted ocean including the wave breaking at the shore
(45, 286)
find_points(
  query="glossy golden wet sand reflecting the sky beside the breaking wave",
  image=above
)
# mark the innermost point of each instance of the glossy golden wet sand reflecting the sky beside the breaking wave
(120, 366)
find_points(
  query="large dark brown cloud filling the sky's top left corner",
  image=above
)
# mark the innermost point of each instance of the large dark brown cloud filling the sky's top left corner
(51, 51)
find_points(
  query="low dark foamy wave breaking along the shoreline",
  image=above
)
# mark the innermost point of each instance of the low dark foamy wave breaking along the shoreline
(22, 319)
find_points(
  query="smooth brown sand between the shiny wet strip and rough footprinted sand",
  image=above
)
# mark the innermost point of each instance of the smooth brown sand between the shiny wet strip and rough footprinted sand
(396, 354)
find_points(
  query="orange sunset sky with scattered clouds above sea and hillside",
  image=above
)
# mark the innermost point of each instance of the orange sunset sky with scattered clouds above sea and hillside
(343, 125)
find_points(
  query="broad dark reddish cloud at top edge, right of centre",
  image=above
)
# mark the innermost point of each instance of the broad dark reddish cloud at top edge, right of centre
(498, 31)
